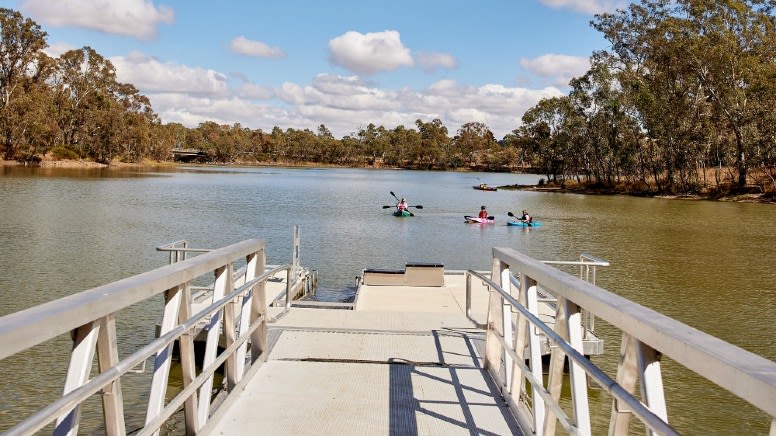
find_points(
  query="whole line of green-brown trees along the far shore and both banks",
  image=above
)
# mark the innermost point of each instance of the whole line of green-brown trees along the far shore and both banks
(682, 101)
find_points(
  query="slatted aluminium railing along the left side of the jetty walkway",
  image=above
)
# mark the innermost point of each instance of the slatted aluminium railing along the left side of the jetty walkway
(91, 318)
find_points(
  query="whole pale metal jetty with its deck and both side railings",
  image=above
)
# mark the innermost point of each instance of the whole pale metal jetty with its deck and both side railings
(424, 351)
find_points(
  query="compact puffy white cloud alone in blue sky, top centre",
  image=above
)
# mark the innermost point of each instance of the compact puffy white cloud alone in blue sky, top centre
(369, 53)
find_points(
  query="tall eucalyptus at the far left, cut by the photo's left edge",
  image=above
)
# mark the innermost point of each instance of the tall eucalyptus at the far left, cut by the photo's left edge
(22, 63)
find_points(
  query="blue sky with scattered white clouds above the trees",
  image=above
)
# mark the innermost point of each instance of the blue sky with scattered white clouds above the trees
(341, 63)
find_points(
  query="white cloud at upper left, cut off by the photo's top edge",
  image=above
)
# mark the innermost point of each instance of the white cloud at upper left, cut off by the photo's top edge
(134, 18)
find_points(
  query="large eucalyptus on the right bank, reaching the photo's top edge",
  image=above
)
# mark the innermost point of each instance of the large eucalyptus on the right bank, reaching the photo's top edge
(695, 64)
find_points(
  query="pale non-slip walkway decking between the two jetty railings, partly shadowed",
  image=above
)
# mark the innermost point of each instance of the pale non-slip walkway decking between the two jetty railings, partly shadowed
(406, 361)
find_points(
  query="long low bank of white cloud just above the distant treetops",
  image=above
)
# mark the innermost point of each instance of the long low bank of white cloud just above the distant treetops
(190, 96)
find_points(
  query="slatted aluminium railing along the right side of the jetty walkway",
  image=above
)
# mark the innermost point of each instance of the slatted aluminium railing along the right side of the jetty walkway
(513, 356)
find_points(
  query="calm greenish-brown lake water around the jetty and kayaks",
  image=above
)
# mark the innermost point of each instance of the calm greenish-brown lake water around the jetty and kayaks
(708, 264)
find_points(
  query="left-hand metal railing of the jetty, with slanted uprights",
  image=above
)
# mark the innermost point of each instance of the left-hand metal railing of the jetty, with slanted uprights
(39, 324)
